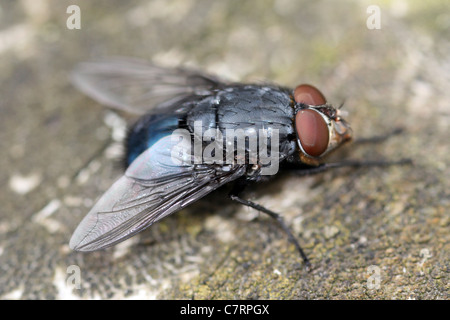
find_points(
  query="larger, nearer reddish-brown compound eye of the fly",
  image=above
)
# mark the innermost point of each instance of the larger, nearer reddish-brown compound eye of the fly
(312, 132)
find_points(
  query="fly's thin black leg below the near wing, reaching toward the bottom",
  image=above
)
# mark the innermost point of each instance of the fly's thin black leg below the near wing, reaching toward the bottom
(234, 195)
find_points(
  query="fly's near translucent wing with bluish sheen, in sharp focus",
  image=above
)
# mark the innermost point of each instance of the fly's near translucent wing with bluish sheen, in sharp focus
(162, 180)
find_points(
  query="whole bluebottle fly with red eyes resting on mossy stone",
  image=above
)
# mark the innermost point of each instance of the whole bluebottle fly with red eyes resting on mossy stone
(169, 162)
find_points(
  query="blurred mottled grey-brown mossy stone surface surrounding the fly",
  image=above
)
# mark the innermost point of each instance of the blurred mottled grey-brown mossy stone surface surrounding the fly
(374, 233)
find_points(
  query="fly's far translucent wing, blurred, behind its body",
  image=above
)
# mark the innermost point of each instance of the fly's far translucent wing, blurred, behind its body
(137, 86)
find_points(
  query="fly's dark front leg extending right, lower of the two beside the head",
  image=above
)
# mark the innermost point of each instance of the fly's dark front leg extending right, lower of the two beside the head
(350, 163)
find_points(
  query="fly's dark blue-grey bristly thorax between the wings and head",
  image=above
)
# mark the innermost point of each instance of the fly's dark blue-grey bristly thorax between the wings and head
(245, 125)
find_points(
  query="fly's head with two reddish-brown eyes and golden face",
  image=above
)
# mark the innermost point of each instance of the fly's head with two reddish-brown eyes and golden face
(319, 126)
